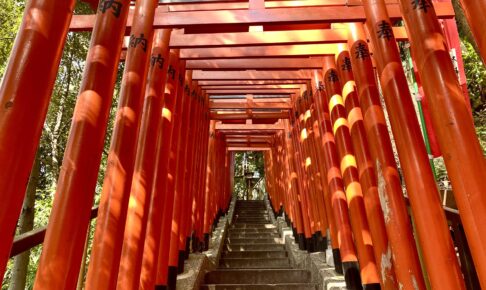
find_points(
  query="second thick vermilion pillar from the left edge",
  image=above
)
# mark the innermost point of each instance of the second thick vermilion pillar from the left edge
(65, 237)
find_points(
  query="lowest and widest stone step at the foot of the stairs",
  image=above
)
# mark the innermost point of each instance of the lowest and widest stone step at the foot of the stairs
(258, 276)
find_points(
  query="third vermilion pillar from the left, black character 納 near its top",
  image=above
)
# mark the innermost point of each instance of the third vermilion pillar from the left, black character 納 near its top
(118, 179)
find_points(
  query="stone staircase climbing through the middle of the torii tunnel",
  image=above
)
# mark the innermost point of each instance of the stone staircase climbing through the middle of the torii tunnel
(254, 256)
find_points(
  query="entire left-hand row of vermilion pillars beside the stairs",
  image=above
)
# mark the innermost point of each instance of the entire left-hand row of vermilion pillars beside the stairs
(167, 179)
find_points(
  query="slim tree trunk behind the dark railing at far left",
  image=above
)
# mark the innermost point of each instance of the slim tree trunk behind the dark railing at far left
(26, 223)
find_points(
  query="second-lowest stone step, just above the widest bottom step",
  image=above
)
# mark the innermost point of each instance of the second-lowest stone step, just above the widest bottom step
(252, 263)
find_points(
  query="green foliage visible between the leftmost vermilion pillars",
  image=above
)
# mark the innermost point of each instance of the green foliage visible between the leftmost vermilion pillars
(58, 120)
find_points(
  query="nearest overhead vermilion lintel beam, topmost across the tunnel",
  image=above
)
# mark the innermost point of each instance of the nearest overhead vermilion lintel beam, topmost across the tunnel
(165, 19)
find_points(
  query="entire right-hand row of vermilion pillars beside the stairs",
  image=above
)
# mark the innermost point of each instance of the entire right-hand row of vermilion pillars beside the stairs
(333, 168)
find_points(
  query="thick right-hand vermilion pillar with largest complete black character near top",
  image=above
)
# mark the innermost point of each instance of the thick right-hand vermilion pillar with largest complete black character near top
(440, 259)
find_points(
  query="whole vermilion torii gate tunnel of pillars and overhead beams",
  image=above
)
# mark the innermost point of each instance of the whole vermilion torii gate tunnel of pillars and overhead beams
(300, 81)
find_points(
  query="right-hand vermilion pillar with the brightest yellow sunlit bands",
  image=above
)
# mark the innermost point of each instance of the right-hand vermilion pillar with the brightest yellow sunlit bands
(349, 171)
